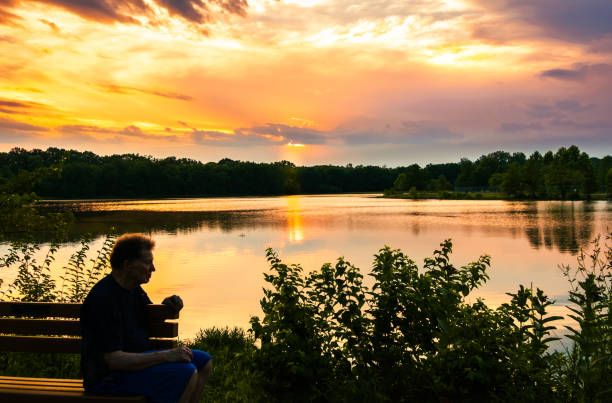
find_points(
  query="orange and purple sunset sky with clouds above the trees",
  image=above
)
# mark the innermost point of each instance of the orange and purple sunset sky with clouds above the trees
(382, 82)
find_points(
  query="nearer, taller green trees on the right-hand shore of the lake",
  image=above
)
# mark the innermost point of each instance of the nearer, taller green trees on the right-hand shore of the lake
(567, 173)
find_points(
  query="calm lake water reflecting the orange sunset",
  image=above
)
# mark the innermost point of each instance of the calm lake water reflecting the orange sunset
(212, 251)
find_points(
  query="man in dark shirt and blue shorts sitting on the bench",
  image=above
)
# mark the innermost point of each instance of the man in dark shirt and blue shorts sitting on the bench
(116, 357)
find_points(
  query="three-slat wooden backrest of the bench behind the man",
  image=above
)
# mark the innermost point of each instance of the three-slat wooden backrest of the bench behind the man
(54, 327)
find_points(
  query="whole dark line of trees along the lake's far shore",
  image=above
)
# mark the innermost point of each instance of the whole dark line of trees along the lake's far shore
(87, 175)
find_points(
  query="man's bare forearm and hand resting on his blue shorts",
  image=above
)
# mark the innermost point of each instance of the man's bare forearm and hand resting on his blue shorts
(122, 361)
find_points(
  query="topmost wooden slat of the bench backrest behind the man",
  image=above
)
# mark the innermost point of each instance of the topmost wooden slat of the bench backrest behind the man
(67, 310)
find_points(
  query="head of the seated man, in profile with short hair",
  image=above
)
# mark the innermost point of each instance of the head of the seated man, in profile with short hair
(132, 258)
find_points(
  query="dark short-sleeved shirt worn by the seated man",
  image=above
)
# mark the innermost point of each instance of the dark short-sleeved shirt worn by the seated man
(112, 318)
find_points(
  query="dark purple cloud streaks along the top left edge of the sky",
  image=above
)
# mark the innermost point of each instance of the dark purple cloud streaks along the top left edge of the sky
(133, 11)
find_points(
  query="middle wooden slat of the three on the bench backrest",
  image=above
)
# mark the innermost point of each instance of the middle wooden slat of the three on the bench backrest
(71, 327)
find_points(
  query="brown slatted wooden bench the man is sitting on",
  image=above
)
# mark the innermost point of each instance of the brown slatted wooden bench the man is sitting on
(41, 327)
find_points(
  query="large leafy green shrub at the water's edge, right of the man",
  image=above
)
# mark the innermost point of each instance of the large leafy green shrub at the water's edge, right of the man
(411, 336)
